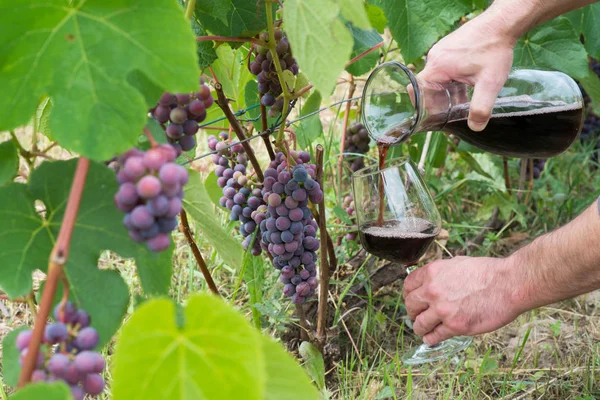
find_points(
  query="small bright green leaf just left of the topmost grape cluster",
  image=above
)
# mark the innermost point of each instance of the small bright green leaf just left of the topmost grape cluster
(232, 72)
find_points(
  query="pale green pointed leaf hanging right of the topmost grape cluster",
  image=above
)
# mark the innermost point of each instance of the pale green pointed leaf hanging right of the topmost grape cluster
(320, 41)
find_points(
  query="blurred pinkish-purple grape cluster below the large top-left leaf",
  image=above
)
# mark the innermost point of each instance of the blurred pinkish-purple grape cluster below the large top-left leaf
(150, 194)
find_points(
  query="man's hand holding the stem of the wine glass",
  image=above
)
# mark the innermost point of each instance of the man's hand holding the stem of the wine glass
(460, 296)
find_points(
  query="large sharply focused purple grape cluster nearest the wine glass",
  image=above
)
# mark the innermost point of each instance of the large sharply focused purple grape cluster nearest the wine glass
(288, 228)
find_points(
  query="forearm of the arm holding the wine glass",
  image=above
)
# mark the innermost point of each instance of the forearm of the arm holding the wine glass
(559, 265)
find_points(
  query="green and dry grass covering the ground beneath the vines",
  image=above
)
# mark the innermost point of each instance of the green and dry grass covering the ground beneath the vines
(548, 353)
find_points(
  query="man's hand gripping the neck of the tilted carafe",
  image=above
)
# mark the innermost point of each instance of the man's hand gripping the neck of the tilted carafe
(478, 54)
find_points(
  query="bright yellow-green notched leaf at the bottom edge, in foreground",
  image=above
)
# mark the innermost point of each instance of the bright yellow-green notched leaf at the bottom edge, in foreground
(215, 354)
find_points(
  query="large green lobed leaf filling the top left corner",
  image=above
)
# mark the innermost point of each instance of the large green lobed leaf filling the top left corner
(80, 54)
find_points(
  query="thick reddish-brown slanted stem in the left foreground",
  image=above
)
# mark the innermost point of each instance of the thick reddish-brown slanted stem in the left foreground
(58, 258)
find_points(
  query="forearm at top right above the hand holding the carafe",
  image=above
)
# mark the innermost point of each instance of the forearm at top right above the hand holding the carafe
(514, 18)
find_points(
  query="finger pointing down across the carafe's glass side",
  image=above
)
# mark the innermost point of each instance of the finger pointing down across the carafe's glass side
(482, 103)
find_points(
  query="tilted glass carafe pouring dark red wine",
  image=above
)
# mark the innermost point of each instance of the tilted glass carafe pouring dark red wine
(538, 114)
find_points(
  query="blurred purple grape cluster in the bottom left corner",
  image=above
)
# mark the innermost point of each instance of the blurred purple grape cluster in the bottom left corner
(69, 356)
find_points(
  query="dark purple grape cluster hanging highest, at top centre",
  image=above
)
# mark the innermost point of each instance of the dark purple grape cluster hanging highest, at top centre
(264, 68)
